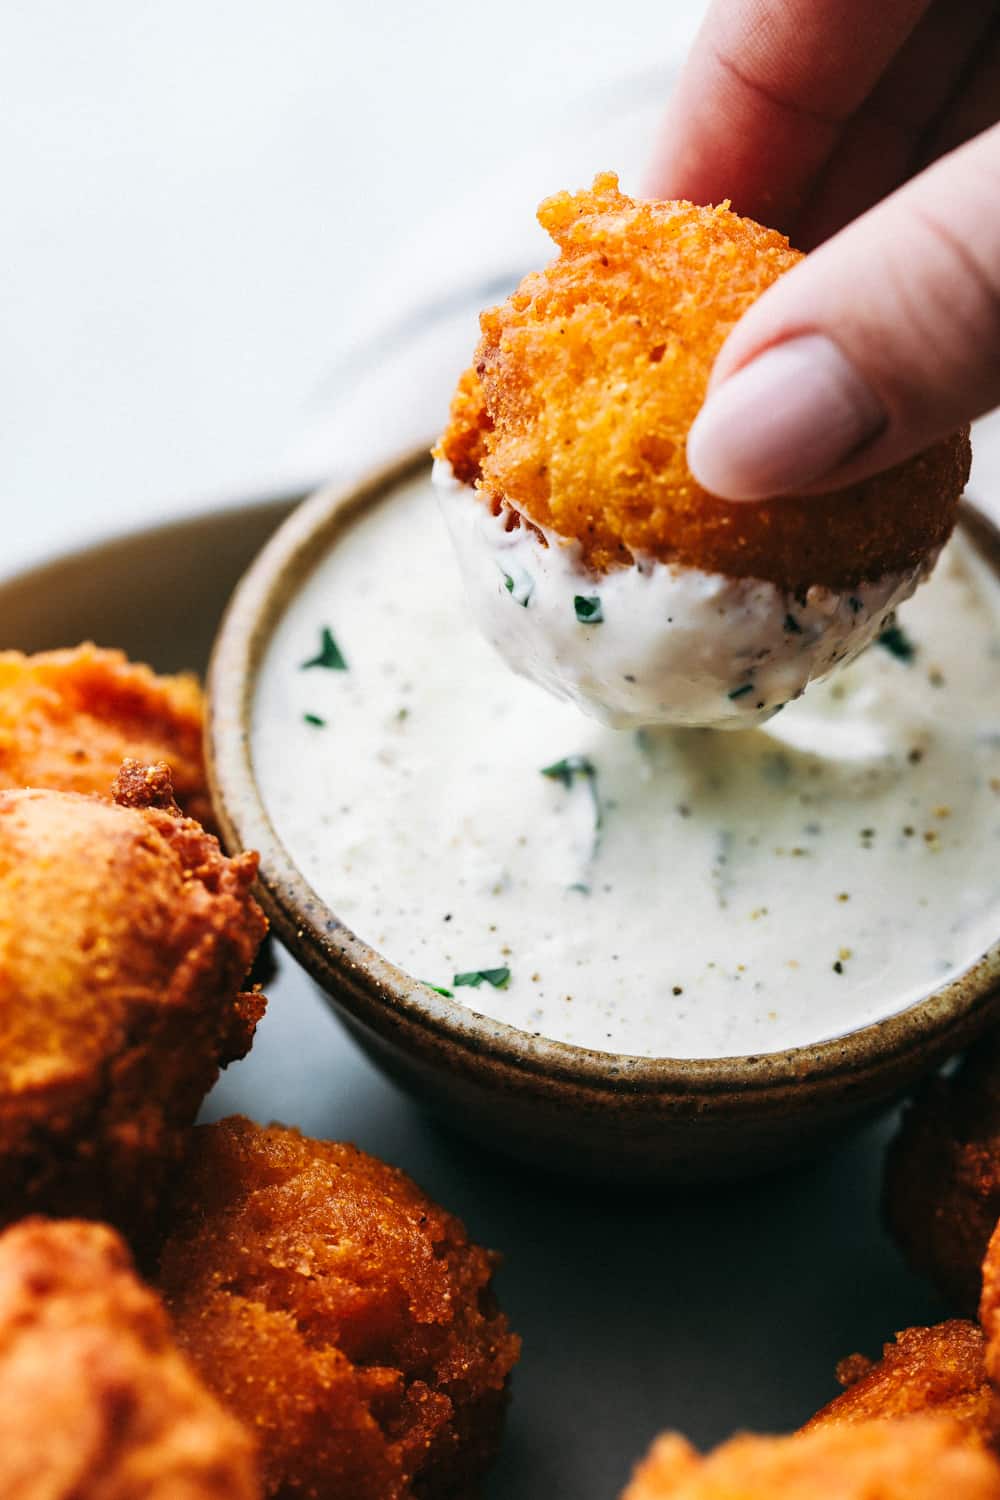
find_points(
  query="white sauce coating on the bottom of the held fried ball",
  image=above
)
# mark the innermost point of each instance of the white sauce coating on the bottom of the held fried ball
(674, 644)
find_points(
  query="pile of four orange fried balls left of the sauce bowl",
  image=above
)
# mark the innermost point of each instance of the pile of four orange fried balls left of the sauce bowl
(319, 1328)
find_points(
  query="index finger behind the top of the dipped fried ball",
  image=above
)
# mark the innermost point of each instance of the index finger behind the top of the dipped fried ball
(765, 95)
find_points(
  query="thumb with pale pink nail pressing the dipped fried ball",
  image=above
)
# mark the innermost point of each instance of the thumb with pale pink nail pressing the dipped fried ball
(879, 344)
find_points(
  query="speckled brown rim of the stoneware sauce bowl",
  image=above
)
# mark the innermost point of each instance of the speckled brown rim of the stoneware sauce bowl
(368, 983)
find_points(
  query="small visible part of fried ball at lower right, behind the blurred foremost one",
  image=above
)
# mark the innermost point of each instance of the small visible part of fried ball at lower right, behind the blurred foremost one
(927, 1372)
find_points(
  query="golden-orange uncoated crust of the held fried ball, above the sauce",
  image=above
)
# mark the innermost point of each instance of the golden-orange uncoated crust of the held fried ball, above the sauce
(587, 380)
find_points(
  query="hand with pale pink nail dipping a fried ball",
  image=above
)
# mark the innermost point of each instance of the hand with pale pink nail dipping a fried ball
(869, 131)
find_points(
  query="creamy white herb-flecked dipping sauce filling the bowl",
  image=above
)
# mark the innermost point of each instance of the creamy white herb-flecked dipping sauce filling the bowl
(662, 893)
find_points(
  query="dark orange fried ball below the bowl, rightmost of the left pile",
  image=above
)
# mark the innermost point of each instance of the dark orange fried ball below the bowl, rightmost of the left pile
(340, 1313)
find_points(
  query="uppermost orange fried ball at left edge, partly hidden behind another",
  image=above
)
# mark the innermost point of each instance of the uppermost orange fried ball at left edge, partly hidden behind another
(68, 719)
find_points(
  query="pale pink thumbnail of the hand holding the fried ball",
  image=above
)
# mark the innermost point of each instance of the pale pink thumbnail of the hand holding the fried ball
(785, 421)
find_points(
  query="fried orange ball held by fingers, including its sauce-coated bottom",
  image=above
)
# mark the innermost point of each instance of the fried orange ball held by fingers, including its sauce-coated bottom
(593, 560)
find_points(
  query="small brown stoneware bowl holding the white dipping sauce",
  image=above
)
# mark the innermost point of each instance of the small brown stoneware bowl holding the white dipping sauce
(581, 1112)
